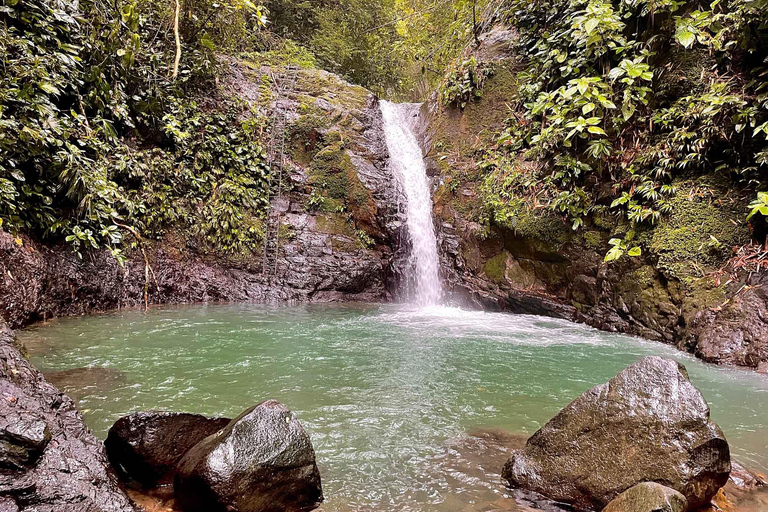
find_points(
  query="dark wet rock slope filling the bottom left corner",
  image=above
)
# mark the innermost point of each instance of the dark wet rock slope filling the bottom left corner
(49, 461)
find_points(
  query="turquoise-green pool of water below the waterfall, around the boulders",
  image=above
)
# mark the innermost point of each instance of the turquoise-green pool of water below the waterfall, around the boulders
(404, 406)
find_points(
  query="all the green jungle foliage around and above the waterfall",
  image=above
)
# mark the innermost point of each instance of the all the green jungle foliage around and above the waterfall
(104, 132)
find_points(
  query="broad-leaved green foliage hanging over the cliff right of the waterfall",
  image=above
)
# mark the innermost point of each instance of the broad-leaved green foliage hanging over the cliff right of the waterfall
(620, 99)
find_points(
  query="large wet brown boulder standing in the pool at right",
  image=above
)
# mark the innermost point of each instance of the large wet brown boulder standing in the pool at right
(649, 423)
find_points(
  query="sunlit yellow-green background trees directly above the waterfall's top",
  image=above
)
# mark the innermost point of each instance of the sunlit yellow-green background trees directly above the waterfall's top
(397, 48)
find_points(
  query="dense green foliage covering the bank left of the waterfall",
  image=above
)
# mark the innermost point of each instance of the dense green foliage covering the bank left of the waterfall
(96, 134)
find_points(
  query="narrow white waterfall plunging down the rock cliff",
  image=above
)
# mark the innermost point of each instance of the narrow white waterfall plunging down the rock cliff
(407, 164)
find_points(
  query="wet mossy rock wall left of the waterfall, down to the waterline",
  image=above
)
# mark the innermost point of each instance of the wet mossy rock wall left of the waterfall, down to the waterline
(341, 250)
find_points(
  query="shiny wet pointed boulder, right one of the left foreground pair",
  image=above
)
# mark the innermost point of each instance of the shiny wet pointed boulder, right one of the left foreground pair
(263, 461)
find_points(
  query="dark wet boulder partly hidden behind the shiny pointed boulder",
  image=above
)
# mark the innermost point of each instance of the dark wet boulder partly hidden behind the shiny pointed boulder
(146, 446)
